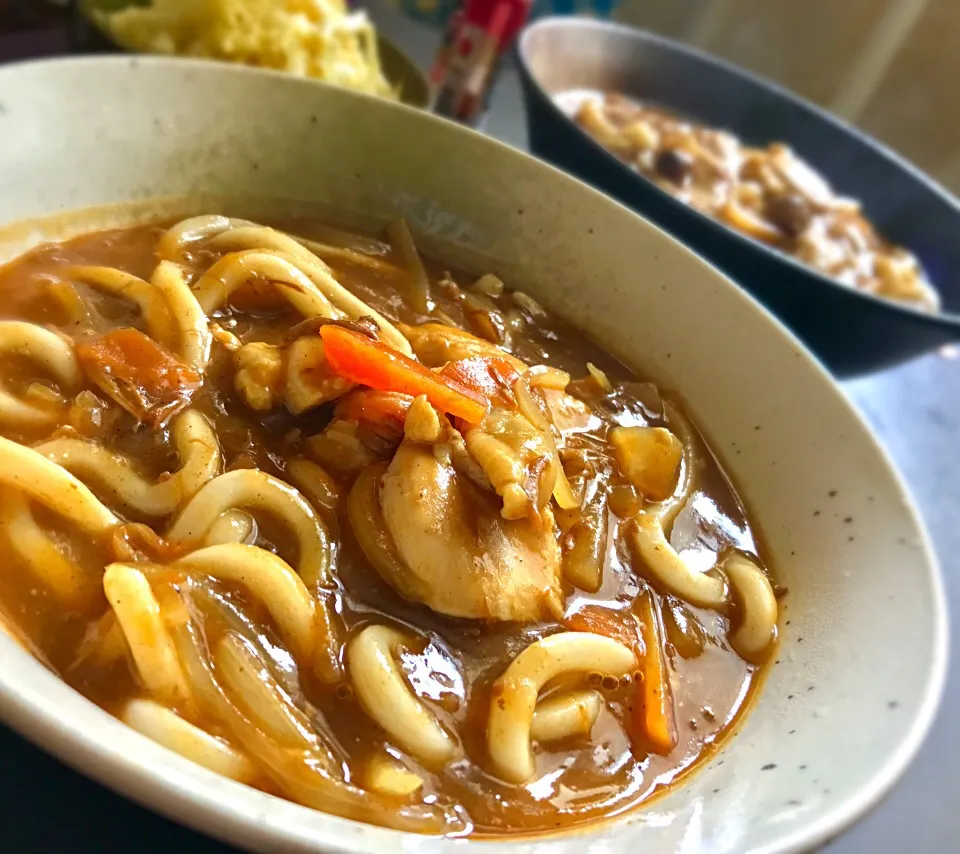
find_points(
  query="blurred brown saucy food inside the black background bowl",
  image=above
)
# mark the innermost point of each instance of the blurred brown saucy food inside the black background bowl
(769, 194)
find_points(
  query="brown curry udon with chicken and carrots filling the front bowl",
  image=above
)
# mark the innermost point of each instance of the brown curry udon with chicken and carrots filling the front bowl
(349, 635)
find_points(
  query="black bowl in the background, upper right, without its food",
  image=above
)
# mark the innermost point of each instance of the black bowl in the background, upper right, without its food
(852, 332)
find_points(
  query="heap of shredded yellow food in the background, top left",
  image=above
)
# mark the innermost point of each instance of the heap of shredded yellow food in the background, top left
(310, 38)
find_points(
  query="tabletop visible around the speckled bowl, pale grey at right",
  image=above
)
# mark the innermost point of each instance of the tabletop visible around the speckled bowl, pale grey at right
(916, 411)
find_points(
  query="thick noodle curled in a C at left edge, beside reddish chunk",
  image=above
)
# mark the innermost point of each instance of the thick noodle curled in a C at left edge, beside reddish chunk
(53, 355)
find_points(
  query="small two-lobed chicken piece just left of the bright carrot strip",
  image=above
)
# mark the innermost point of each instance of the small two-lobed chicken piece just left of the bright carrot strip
(296, 375)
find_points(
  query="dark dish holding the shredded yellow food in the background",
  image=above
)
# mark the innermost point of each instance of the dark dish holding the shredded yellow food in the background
(403, 74)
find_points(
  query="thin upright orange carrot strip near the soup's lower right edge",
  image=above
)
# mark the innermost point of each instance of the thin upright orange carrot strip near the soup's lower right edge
(654, 712)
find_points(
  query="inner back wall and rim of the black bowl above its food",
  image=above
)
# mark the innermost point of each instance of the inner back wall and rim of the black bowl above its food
(906, 206)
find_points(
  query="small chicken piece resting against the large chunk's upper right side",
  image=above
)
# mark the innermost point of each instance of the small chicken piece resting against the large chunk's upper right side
(517, 461)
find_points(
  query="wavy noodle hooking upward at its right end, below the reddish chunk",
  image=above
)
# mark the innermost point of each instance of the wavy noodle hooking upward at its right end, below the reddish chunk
(117, 476)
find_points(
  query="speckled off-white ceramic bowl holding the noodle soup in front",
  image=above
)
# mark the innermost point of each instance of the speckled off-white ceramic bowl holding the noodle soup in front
(864, 628)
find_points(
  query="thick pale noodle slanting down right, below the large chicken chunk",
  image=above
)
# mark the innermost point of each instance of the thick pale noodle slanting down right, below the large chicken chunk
(387, 697)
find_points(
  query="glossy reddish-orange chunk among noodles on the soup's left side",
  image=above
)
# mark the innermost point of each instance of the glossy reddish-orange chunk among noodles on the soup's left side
(139, 374)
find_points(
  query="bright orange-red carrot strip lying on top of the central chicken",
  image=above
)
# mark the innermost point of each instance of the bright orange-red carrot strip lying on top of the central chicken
(366, 362)
